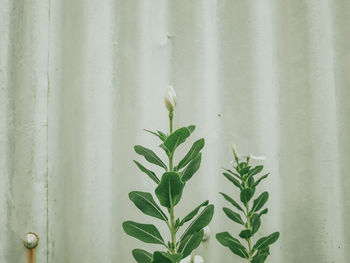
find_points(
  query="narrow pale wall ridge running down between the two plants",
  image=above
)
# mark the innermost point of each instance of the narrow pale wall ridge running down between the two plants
(207, 63)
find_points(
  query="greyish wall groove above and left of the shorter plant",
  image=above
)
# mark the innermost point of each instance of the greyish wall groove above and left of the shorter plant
(236, 116)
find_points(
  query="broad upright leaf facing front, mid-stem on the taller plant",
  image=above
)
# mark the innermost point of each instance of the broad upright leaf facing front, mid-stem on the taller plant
(169, 190)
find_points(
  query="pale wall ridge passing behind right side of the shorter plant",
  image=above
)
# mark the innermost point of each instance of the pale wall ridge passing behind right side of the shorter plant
(266, 103)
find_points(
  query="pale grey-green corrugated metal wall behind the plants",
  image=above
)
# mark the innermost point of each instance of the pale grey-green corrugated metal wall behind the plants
(80, 79)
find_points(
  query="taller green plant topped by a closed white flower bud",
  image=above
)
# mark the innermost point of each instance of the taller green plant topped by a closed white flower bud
(168, 190)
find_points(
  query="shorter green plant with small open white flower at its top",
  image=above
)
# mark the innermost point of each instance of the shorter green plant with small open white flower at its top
(244, 178)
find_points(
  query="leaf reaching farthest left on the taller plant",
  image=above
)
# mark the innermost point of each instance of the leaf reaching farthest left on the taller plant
(145, 232)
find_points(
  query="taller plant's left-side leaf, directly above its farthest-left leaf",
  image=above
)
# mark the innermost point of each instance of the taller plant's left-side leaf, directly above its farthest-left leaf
(145, 202)
